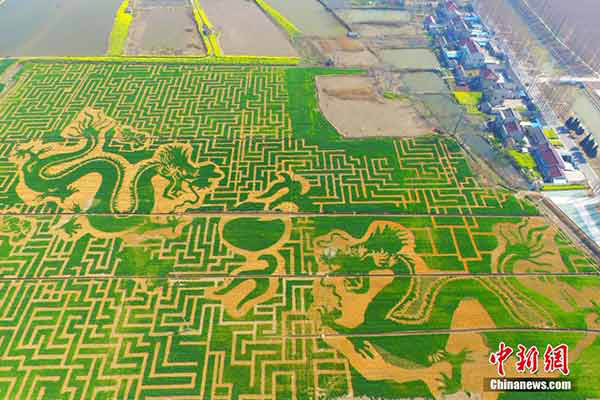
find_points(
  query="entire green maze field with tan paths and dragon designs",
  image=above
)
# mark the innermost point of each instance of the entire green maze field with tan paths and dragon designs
(154, 304)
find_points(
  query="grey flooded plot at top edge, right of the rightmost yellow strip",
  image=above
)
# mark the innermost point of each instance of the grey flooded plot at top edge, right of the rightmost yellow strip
(310, 17)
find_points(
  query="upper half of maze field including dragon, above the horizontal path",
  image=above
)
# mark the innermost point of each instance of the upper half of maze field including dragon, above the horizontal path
(242, 120)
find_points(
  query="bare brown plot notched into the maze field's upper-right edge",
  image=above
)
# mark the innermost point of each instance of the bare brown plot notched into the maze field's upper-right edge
(353, 106)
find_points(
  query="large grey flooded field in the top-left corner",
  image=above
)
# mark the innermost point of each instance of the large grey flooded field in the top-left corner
(56, 27)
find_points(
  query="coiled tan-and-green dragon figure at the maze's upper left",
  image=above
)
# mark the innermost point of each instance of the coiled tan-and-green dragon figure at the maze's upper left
(112, 190)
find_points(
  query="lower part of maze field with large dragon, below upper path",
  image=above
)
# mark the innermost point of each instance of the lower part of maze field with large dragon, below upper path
(147, 315)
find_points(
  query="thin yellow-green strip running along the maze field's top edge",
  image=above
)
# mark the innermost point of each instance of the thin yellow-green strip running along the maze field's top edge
(229, 59)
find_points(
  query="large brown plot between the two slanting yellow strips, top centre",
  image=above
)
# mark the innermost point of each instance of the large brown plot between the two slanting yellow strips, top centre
(242, 28)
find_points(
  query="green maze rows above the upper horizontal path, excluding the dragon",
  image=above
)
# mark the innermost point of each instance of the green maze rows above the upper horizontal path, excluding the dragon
(237, 118)
